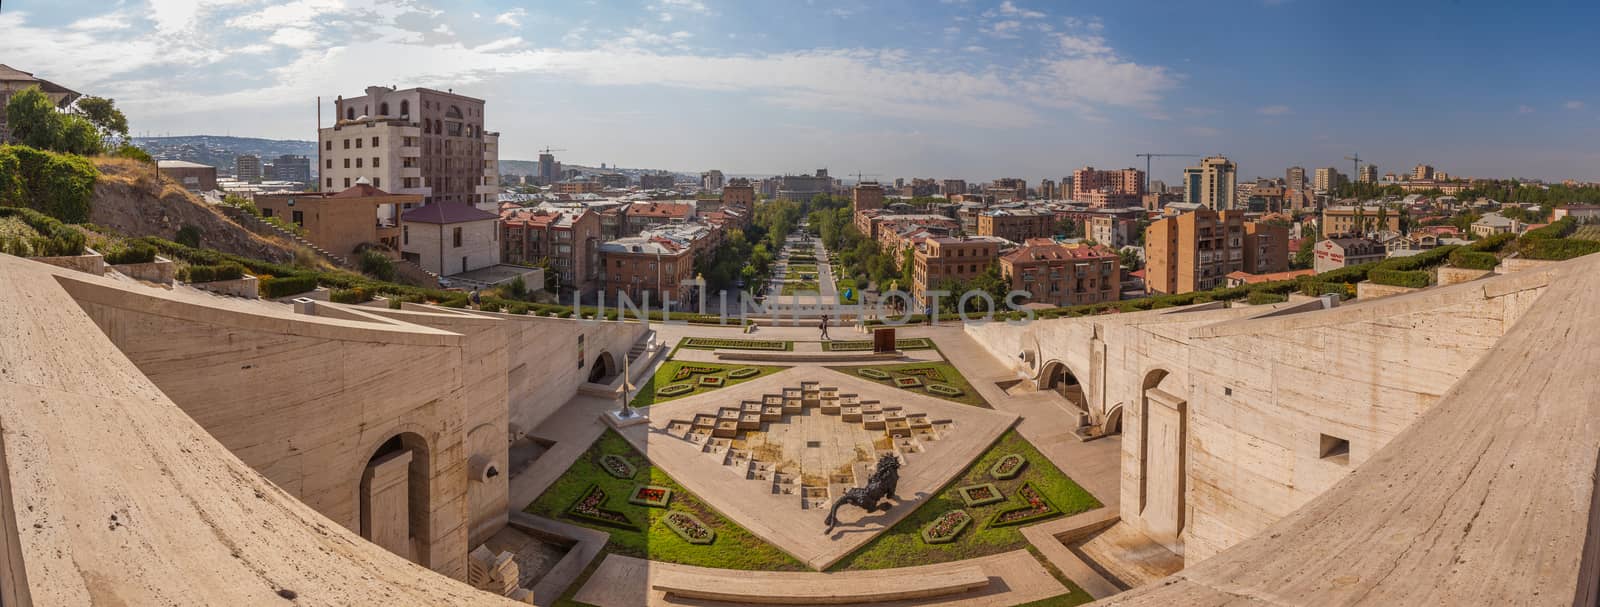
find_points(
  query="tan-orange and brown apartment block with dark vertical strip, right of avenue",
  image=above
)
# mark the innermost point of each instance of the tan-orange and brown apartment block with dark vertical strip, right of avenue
(1194, 252)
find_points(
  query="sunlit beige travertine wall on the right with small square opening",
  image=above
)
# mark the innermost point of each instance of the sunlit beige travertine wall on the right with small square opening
(1260, 392)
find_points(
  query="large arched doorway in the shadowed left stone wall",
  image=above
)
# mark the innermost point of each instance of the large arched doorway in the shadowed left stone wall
(396, 497)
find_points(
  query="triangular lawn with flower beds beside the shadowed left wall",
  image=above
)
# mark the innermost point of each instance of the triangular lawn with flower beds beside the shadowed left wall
(735, 547)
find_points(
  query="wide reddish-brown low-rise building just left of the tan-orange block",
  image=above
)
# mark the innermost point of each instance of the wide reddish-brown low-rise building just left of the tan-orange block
(1063, 275)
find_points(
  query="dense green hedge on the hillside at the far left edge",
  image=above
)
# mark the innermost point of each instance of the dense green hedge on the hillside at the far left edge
(57, 185)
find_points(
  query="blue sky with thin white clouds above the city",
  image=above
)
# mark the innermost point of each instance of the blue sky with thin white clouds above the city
(942, 89)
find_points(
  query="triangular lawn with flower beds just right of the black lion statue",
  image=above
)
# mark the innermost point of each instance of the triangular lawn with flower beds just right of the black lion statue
(903, 545)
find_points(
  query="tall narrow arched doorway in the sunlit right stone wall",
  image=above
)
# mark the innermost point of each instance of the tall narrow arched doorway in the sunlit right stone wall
(1164, 454)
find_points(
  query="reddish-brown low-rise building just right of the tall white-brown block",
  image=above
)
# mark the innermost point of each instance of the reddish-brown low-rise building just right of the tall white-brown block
(567, 236)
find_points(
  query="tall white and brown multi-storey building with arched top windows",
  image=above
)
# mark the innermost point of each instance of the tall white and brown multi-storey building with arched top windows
(412, 142)
